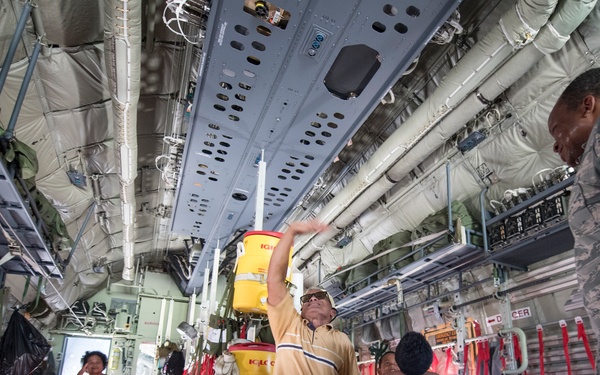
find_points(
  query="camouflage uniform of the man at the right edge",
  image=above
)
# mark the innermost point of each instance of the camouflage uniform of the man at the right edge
(584, 220)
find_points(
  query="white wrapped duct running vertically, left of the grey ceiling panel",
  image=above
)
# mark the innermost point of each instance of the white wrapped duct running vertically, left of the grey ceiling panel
(122, 49)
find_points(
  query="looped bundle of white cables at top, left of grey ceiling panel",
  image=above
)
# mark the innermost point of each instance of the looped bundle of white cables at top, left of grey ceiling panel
(187, 18)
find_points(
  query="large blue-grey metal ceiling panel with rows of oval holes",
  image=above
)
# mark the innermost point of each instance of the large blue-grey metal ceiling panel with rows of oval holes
(261, 87)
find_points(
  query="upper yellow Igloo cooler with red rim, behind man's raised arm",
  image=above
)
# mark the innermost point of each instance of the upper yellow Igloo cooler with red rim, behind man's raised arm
(250, 287)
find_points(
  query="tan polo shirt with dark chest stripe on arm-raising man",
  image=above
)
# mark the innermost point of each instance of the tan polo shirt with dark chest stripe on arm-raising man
(301, 350)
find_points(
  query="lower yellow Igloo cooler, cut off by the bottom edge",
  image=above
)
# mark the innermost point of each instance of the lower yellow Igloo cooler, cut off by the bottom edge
(254, 358)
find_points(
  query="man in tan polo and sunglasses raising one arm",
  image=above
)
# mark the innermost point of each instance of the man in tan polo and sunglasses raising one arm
(306, 343)
